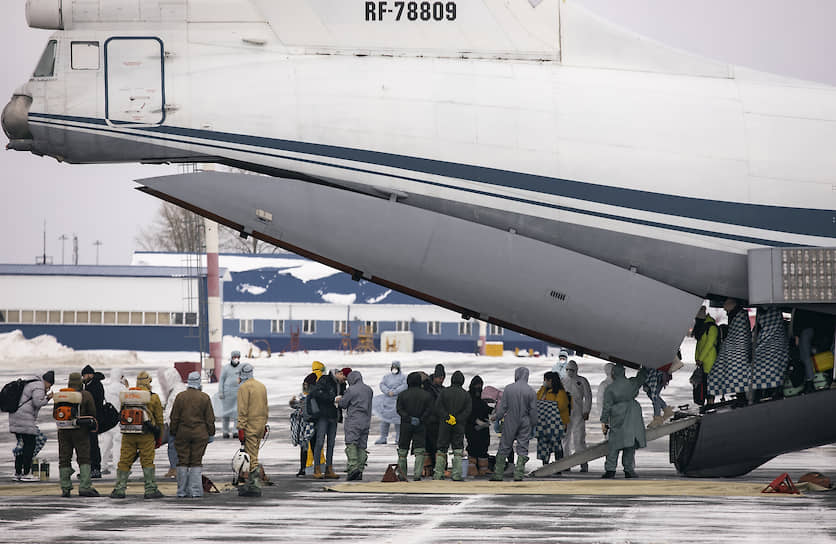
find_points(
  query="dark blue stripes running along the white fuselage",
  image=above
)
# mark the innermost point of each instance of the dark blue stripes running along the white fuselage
(812, 222)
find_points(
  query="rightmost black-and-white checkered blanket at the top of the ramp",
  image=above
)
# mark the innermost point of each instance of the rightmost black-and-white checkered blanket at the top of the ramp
(771, 350)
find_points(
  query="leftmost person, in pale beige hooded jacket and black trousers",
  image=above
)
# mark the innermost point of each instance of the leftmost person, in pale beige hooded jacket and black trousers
(24, 422)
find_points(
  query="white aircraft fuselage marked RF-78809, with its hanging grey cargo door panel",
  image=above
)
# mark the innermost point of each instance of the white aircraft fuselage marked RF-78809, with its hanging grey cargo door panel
(583, 181)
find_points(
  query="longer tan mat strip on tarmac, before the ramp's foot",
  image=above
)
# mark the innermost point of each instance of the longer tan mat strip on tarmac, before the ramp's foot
(676, 488)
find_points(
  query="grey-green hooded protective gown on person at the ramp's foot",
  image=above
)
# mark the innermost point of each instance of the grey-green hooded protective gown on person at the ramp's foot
(622, 412)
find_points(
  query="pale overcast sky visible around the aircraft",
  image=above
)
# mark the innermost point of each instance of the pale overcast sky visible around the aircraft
(100, 202)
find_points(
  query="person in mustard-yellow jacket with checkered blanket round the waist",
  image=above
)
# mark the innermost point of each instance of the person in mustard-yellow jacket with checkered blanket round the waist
(552, 417)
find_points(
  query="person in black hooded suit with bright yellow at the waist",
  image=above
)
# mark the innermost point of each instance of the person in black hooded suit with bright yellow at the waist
(452, 408)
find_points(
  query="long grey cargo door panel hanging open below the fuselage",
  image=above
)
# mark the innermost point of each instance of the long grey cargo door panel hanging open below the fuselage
(535, 288)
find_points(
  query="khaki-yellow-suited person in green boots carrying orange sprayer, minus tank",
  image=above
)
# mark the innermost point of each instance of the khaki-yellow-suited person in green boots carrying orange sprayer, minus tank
(142, 446)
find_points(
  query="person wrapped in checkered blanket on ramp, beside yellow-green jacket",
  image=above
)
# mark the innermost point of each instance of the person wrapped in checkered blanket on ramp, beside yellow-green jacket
(730, 374)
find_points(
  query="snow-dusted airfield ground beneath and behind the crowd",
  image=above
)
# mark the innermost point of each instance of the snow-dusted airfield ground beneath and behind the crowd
(297, 510)
